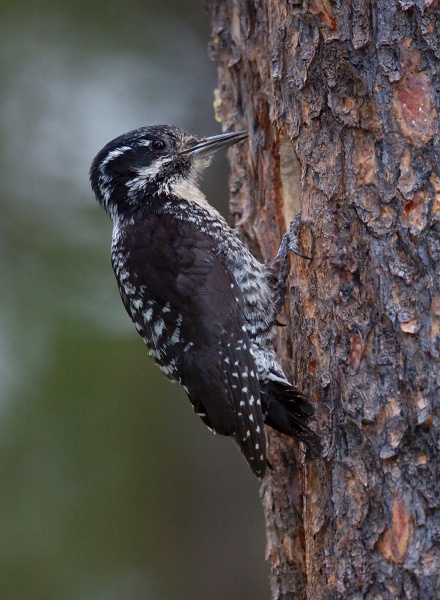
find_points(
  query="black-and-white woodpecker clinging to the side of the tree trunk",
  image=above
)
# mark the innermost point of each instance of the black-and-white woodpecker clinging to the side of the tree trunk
(204, 306)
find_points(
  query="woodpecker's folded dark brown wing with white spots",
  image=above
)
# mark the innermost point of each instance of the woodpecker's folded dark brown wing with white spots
(189, 311)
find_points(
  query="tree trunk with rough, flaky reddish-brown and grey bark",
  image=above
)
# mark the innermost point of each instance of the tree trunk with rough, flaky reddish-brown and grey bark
(341, 100)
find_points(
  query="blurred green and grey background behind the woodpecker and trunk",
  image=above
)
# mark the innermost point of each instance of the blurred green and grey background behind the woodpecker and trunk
(111, 487)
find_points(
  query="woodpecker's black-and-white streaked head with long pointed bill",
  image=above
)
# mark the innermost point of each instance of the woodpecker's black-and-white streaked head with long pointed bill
(150, 162)
